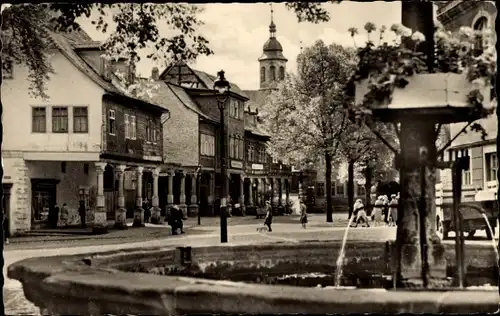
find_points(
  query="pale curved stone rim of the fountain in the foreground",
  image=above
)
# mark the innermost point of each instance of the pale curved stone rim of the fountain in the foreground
(57, 276)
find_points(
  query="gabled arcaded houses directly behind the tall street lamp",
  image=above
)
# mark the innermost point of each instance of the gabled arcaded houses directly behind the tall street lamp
(195, 183)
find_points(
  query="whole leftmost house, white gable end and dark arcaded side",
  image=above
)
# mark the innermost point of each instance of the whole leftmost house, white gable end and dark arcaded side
(84, 143)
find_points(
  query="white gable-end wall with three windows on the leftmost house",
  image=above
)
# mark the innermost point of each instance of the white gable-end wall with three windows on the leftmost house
(55, 139)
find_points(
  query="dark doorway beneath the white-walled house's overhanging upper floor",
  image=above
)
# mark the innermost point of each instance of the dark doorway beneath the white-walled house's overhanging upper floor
(43, 197)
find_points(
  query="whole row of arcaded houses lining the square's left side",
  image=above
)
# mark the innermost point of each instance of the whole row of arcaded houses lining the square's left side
(97, 141)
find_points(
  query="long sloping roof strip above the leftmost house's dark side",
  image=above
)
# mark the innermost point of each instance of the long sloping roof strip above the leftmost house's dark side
(63, 44)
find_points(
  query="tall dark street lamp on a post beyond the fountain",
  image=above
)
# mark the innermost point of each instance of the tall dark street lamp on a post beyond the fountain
(221, 88)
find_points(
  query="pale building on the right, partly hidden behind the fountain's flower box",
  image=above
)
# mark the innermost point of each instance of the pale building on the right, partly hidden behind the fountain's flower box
(481, 175)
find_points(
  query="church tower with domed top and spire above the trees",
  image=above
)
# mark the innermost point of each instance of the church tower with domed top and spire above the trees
(272, 63)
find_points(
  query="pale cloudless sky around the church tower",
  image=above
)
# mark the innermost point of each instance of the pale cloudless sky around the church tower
(237, 32)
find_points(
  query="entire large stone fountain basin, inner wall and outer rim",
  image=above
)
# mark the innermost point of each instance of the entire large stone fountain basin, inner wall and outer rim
(97, 284)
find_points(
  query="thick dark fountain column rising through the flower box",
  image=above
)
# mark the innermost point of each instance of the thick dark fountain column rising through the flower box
(419, 253)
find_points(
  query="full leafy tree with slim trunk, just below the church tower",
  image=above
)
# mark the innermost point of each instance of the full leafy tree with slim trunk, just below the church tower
(306, 116)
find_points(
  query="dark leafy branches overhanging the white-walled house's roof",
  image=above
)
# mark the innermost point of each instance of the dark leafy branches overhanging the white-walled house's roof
(26, 33)
